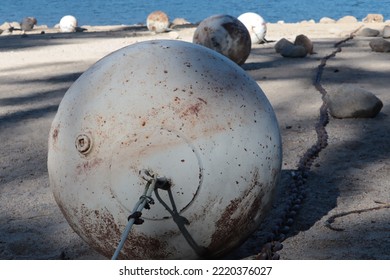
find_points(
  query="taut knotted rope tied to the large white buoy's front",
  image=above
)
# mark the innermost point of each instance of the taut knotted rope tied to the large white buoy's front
(134, 218)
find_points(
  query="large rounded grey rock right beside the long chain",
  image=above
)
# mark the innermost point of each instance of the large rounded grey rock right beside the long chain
(349, 101)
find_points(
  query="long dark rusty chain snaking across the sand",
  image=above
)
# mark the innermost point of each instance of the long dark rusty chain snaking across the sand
(296, 189)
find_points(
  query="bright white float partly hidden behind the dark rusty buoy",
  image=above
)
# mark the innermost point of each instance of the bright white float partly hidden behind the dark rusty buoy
(256, 26)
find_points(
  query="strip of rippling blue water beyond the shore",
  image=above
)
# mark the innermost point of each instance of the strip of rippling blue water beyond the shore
(128, 12)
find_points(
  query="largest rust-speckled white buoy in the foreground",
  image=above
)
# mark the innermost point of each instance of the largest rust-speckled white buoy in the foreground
(180, 111)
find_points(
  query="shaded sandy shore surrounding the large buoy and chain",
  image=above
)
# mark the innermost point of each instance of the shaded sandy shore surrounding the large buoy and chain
(351, 174)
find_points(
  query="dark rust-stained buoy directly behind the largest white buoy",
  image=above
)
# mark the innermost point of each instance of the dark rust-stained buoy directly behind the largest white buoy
(226, 35)
